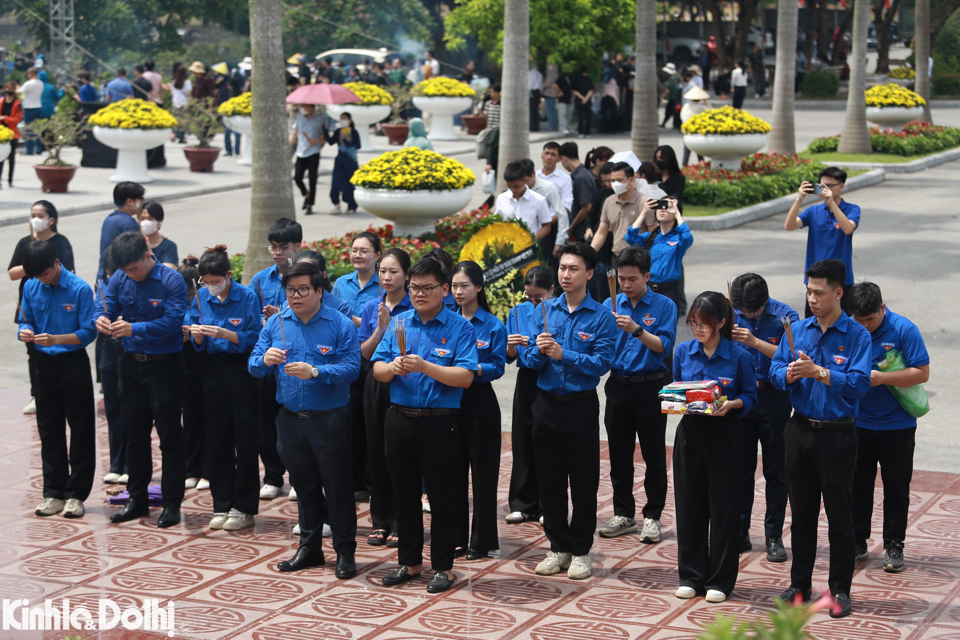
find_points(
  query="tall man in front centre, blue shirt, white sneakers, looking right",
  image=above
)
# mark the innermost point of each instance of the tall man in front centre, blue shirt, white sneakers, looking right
(575, 347)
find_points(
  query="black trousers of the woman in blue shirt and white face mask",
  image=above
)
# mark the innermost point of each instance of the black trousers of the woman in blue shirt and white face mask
(232, 433)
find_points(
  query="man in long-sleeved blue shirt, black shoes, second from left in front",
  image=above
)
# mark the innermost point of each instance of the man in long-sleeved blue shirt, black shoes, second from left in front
(145, 306)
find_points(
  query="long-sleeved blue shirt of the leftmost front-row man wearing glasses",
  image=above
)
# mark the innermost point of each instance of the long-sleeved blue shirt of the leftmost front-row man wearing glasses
(328, 342)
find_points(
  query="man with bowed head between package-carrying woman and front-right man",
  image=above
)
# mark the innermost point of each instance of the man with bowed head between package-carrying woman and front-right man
(758, 326)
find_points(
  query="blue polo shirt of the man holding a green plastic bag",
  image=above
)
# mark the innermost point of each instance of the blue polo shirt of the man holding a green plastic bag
(879, 409)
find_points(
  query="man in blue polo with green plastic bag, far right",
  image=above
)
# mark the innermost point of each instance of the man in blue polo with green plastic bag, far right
(886, 434)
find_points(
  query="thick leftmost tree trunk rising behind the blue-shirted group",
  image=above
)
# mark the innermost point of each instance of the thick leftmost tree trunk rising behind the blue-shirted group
(271, 191)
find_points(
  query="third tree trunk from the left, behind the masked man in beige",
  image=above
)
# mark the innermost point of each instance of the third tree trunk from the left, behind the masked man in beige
(644, 136)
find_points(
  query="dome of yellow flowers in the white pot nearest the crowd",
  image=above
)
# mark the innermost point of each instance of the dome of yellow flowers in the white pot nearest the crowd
(413, 169)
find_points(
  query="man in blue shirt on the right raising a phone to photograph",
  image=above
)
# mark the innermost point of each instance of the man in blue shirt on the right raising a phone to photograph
(831, 224)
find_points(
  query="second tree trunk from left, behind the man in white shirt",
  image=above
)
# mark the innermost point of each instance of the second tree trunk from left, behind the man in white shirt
(515, 101)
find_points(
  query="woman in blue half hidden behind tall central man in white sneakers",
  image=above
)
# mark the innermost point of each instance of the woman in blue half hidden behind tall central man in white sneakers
(524, 495)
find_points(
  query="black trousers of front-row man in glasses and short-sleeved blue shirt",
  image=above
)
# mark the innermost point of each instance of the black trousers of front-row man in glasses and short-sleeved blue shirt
(416, 449)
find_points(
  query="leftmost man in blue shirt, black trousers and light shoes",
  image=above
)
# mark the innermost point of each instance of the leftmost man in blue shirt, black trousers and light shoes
(57, 317)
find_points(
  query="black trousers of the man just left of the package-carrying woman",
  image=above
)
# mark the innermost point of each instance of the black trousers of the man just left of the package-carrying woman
(632, 413)
